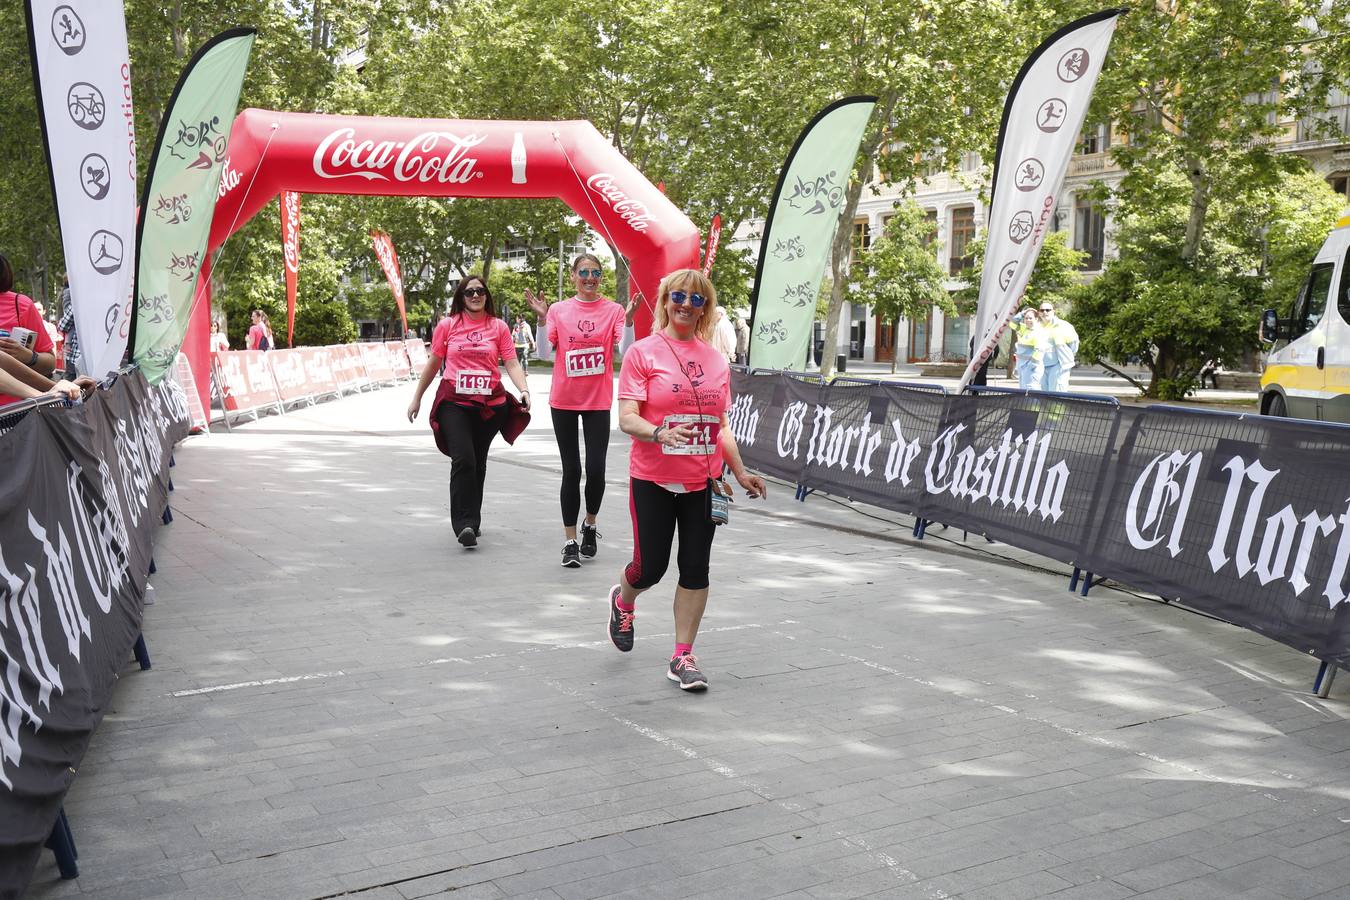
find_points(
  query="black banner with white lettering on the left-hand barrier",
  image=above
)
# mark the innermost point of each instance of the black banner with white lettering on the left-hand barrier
(80, 495)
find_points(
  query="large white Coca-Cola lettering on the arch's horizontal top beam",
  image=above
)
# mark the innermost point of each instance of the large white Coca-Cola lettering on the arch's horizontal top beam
(433, 156)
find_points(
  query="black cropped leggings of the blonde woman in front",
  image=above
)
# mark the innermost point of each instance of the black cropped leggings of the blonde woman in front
(658, 515)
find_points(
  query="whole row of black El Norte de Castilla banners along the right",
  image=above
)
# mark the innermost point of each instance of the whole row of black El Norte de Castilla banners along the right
(1245, 517)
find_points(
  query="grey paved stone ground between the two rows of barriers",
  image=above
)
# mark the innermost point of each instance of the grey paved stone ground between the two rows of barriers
(346, 704)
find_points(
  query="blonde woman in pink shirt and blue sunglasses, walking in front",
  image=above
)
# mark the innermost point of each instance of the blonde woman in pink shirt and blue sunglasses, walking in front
(673, 397)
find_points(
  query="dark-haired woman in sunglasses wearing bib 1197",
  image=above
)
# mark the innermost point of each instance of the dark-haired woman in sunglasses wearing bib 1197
(472, 405)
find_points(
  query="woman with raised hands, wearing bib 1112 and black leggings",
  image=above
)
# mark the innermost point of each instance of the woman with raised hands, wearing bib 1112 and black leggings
(584, 333)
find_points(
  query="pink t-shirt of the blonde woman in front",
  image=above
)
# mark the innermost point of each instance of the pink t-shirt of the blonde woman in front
(678, 383)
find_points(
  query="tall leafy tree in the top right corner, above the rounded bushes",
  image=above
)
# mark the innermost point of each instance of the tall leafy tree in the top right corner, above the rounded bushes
(1204, 90)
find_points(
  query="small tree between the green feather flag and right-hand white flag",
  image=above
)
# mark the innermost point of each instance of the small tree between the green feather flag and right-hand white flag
(902, 277)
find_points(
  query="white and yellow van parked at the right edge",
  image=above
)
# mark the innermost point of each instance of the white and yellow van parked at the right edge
(1307, 373)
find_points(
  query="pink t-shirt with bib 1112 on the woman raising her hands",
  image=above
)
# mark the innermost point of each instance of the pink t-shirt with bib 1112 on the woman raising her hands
(584, 335)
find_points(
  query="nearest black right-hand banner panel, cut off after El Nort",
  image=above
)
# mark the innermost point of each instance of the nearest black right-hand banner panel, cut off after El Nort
(1245, 517)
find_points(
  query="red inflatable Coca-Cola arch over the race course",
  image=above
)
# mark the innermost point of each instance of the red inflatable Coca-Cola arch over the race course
(570, 161)
